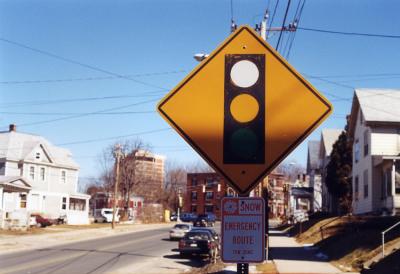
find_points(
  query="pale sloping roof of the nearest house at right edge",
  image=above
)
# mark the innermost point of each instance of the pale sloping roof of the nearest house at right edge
(379, 105)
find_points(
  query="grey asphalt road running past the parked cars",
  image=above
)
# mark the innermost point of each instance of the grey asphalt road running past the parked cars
(147, 251)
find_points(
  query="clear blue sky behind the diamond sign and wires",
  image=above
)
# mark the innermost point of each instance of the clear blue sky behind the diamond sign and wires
(61, 50)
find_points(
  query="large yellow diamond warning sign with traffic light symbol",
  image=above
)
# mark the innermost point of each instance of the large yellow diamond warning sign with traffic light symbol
(244, 109)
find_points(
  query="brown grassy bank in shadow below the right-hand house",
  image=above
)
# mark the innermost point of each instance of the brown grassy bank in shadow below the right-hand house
(349, 241)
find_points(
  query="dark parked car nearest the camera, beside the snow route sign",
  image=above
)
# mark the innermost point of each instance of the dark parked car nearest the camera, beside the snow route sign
(199, 243)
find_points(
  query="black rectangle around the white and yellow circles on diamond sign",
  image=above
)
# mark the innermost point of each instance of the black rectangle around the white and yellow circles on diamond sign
(244, 142)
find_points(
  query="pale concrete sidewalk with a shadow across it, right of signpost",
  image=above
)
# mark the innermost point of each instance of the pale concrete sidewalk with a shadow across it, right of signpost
(291, 257)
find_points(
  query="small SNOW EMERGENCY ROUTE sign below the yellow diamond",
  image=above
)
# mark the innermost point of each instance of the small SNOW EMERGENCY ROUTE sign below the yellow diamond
(243, 229)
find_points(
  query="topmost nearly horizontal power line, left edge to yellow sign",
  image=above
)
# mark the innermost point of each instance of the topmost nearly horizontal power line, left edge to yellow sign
(90, 78)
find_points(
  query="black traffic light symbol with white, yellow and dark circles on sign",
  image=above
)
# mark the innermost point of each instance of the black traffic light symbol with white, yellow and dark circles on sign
(244, 109)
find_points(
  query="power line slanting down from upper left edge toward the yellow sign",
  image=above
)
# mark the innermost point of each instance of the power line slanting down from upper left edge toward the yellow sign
(68, 60)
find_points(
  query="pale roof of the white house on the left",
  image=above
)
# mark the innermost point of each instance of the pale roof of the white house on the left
(17, 146)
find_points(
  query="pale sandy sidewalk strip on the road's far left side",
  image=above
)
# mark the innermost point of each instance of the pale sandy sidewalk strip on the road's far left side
(13, 243)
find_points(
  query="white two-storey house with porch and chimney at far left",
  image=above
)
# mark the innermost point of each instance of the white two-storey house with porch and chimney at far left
(39, 177)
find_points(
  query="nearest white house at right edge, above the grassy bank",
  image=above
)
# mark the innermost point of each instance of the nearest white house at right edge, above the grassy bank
(374, 129)
